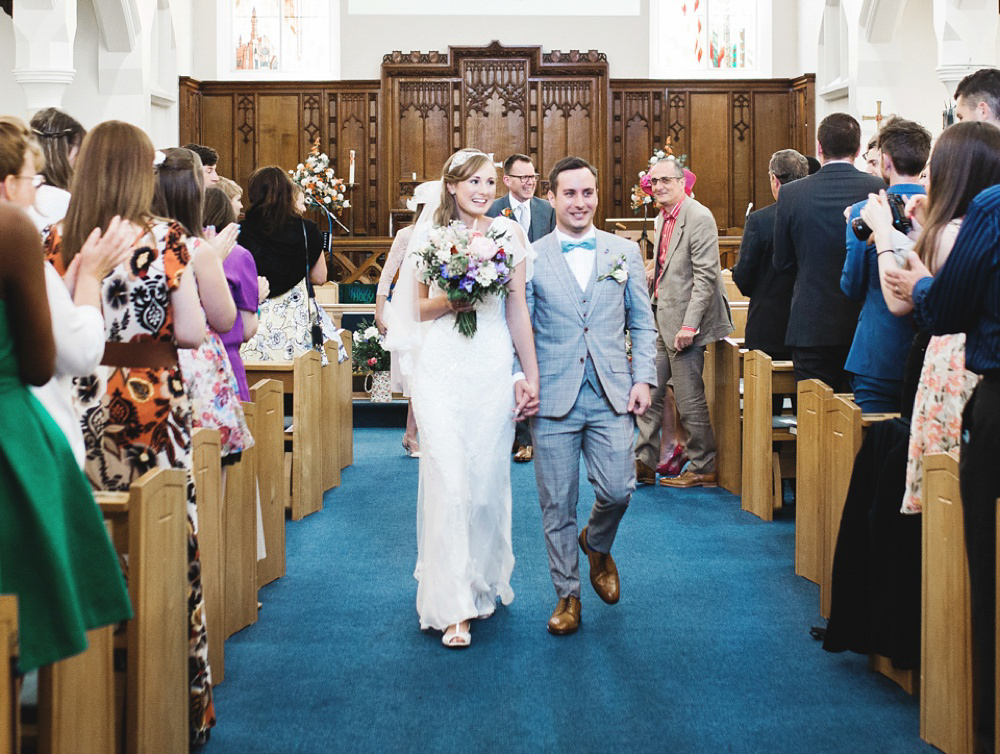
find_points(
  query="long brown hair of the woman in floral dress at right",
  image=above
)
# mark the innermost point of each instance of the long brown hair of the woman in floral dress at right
(965, 160)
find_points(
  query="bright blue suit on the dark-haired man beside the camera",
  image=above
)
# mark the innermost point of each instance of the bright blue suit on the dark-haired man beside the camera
(882, 341)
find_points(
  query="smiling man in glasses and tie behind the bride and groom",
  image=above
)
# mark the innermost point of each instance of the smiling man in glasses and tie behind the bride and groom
(538, 219)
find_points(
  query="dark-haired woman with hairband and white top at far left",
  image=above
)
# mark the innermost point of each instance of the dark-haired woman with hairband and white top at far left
(60, 136)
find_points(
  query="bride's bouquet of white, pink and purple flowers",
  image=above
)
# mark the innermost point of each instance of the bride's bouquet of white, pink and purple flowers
(466, 265)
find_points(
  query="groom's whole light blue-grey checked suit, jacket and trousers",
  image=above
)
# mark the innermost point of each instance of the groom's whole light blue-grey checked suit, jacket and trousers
(586, 378)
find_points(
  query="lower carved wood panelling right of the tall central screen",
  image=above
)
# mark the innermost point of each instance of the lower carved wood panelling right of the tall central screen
(727, 129)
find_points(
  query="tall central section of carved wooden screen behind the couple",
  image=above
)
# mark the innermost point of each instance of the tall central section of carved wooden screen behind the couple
(498, 99)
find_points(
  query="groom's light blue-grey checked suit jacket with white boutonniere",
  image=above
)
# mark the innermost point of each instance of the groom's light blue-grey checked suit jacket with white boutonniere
(570, 324)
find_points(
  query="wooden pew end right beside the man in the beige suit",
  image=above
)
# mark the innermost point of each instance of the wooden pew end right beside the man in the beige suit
(722, 390)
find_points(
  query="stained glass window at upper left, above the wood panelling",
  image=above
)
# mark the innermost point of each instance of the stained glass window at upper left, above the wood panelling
(281, 35)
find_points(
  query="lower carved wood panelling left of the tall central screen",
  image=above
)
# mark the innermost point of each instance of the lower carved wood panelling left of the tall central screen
(253, 124)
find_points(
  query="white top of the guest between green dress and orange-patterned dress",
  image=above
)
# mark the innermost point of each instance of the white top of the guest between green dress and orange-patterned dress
(79, 335)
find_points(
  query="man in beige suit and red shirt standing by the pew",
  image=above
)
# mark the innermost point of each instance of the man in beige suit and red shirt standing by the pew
(691, 310)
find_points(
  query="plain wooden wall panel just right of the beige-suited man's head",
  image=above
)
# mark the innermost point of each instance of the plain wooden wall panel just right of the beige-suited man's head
(708, 152)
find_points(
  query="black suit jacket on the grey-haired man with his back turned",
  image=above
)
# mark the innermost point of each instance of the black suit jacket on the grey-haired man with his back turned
(770, 291)
